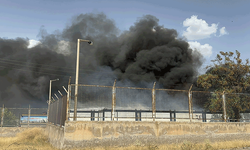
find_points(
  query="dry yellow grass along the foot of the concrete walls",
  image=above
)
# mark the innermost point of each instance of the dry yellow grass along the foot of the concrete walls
(35, 139)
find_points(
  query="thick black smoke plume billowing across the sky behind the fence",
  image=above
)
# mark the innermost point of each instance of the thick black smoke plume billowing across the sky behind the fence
(147, 52)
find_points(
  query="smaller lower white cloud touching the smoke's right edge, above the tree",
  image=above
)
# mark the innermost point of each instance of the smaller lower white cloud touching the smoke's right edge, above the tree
(205, 50)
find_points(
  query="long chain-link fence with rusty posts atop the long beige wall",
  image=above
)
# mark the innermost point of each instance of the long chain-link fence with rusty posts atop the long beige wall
(97, 102)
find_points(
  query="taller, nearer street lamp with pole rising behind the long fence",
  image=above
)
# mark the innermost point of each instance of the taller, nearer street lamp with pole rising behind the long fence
(77, 73)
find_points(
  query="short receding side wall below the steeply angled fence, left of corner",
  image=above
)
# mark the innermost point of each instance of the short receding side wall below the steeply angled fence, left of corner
(55, 135)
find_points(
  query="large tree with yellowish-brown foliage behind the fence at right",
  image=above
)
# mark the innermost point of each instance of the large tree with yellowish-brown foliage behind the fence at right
(229, 75)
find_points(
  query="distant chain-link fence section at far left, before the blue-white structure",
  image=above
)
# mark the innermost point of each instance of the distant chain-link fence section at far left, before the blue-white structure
(23, 117)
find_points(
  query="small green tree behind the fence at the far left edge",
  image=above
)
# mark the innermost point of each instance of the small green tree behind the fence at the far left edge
(9, 118)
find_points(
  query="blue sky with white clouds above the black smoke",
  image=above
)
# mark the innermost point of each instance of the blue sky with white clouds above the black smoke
(200, 21)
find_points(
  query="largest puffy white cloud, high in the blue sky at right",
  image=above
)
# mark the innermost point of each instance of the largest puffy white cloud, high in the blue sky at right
(198, 29)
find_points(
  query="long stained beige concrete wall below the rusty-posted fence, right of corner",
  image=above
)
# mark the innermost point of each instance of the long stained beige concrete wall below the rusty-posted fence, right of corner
(118, 133)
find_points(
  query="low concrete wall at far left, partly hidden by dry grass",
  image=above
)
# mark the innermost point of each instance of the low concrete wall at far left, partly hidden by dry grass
(11, 131)
